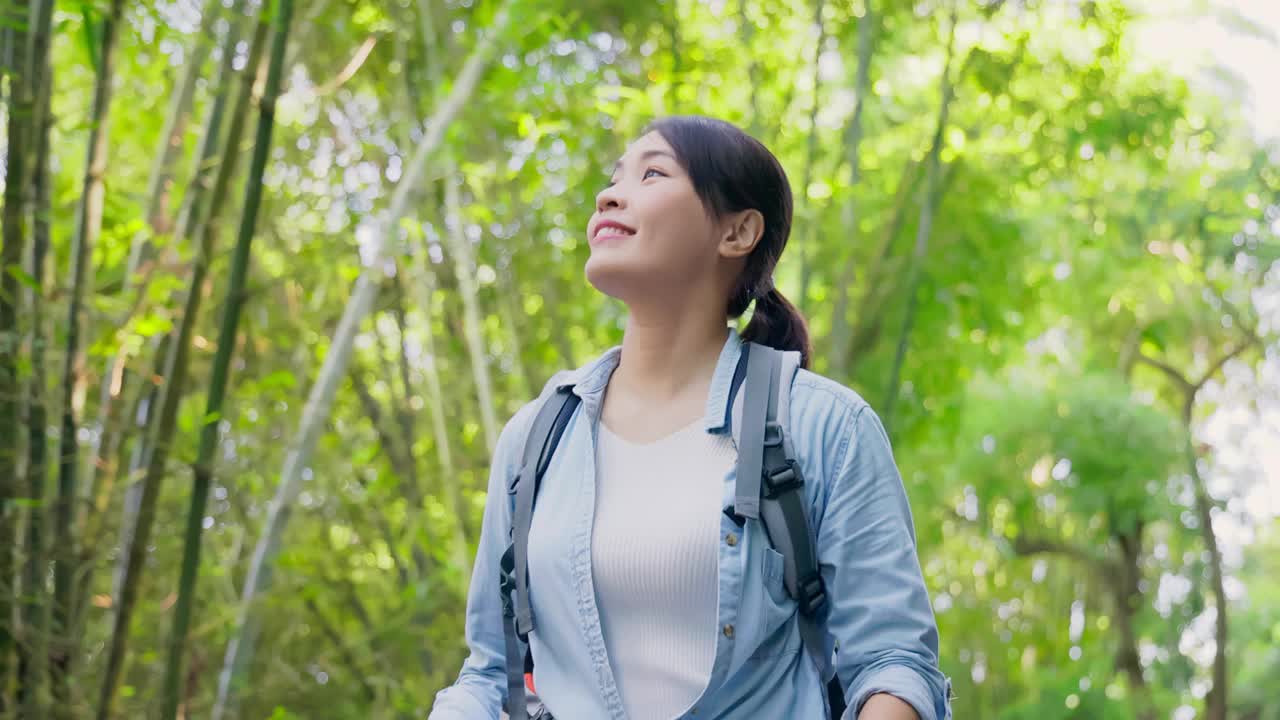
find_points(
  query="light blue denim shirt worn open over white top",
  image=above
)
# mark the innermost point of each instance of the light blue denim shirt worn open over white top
(879, 609)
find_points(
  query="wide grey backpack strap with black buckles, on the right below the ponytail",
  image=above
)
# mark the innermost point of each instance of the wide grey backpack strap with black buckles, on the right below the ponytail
(772, 470)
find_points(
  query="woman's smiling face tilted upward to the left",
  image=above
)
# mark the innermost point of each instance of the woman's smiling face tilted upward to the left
(651, 236)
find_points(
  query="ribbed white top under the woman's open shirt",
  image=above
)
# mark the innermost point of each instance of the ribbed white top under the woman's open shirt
(655, 546)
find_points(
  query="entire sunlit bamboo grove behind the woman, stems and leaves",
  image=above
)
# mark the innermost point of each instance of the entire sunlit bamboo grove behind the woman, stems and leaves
(273, 277)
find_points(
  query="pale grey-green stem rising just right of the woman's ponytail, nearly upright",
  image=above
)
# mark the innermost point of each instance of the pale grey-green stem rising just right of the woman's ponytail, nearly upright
(849, 213)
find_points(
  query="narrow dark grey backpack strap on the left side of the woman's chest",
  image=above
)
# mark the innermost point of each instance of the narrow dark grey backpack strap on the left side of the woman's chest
(518, 613)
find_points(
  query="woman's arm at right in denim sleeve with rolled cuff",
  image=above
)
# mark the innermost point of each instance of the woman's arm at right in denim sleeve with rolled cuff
(880, 608)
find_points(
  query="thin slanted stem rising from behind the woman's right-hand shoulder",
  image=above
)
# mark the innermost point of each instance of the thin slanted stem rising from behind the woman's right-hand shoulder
(922, 233)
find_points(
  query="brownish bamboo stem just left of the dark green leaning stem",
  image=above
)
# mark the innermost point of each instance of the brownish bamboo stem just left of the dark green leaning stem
(171, 395)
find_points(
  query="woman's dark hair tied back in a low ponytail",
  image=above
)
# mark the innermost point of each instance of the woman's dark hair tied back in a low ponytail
(733, 171)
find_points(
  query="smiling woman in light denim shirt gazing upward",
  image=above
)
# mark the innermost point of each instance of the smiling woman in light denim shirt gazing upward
(648, 603)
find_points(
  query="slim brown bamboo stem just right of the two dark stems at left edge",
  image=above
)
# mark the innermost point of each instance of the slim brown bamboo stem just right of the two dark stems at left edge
(89, 221)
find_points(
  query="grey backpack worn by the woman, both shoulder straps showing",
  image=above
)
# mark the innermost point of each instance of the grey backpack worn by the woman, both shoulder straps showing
(770, 489)
